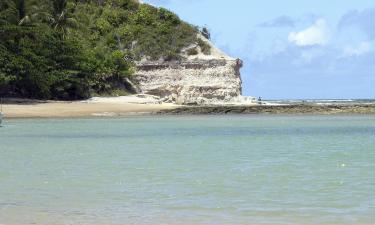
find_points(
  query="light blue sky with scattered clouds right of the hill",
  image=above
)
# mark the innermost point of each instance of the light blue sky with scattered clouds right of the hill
(292, 49)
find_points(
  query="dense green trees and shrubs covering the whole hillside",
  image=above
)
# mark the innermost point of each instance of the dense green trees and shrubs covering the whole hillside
(72, 49)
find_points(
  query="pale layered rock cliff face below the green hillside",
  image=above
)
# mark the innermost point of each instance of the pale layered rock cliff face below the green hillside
(212, 78)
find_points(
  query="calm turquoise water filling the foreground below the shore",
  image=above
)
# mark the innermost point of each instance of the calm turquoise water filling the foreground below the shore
(295, 170)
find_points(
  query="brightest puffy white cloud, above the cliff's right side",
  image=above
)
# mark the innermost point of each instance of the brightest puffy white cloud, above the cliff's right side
(317, 34)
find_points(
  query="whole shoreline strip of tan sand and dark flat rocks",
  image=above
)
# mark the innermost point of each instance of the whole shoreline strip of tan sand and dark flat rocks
(125, 106)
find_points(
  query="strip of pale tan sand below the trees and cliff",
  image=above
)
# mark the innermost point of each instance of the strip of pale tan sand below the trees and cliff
(102, 107)
